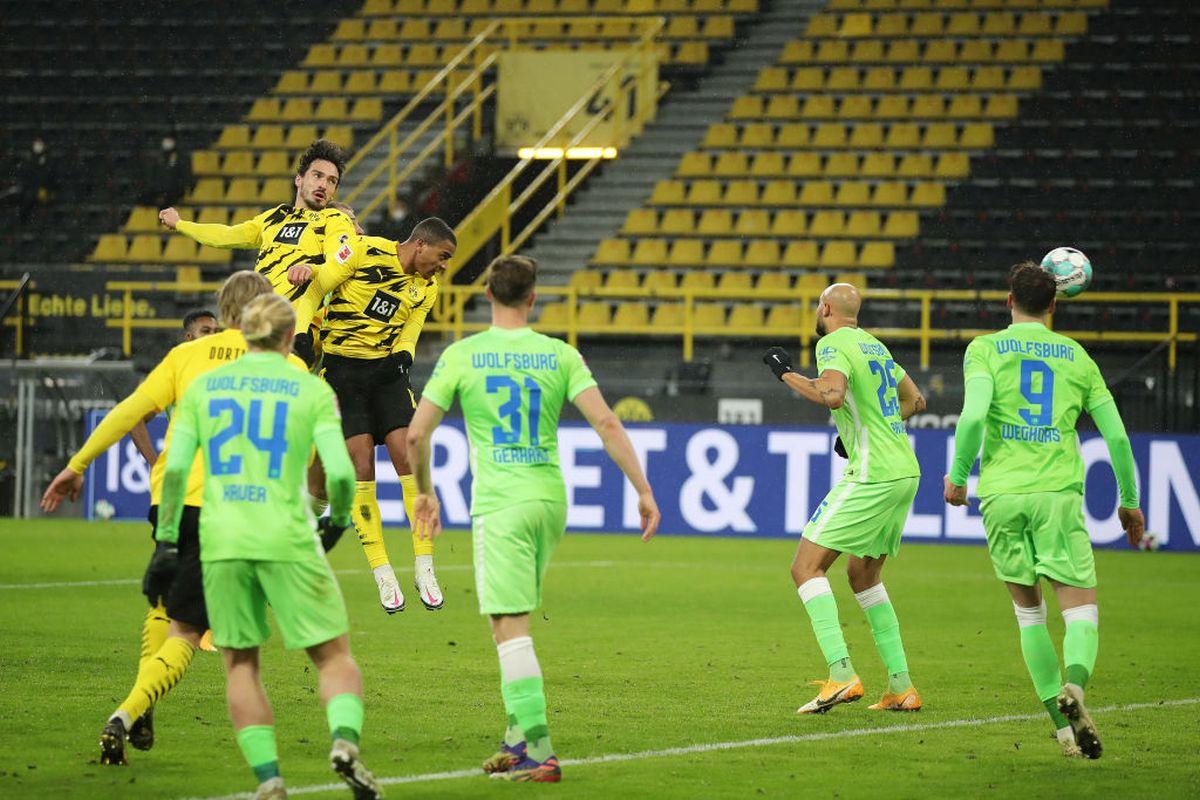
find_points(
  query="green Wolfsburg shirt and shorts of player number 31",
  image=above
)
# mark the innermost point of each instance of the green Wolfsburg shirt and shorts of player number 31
(512, 384)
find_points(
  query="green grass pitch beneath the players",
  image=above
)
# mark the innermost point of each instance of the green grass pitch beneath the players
(673, 645)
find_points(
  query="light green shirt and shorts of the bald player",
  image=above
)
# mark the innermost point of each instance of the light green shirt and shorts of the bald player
(866, 512)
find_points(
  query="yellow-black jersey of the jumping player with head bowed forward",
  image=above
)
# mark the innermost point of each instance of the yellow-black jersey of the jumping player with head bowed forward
(379, 310)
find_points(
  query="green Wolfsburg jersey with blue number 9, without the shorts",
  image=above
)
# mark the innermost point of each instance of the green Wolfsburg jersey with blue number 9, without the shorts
(1041, 383)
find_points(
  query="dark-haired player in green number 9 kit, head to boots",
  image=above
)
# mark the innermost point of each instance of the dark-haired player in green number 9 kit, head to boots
(1025, 389)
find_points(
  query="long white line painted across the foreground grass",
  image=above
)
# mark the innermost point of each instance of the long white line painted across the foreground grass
(730, 745)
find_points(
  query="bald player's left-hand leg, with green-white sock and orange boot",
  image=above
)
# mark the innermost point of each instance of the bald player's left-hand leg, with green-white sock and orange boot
(809, 570)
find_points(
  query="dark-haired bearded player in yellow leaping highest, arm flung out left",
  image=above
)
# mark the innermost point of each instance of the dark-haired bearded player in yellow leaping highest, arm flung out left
(293, 242)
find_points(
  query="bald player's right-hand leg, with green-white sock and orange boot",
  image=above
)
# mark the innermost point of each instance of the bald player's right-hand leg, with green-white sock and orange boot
(866, 579)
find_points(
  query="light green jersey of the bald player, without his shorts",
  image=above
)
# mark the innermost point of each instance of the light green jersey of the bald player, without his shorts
(869, 420)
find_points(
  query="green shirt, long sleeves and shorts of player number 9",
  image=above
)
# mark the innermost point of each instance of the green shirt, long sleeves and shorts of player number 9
(1025, 390)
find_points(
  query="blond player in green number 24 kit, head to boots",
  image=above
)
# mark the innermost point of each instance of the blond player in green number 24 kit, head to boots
(257, 422)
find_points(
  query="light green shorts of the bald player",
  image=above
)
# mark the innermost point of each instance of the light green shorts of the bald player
(863, 520)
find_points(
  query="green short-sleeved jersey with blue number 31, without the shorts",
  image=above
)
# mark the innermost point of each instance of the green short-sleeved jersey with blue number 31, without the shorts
(512, 384)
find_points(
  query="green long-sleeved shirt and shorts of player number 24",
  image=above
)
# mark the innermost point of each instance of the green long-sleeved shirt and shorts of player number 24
(256, 422)
